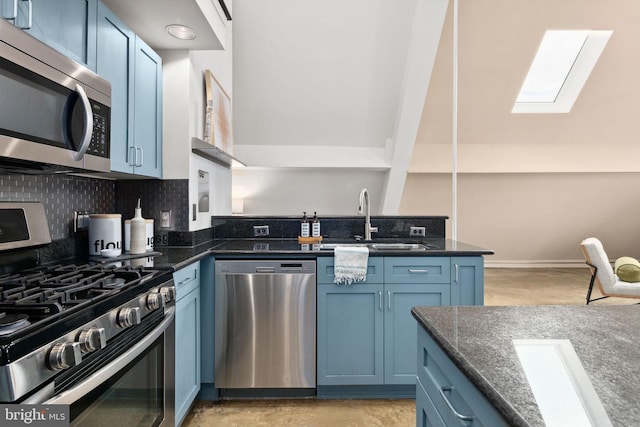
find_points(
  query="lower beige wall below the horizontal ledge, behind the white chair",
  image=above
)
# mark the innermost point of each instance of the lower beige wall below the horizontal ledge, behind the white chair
(531, 219)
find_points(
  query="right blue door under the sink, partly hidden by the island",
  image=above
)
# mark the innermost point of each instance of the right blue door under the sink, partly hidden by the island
(400, 328)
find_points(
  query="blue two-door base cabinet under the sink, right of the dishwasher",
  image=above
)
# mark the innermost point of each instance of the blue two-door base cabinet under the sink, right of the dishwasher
(366, 334)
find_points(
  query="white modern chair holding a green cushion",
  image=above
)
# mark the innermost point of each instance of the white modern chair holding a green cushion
(602, 273)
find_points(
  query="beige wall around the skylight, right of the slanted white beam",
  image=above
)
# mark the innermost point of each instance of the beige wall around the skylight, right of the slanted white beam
(532, 186)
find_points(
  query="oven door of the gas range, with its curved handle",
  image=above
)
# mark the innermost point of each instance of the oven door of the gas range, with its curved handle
(136, 389)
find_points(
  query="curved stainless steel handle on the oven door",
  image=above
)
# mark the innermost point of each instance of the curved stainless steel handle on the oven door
(71, 395)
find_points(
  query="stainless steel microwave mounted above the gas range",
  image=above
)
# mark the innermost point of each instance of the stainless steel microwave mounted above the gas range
(55, 114)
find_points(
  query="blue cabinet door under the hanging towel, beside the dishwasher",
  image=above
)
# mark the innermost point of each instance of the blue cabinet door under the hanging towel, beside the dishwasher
(350, 334)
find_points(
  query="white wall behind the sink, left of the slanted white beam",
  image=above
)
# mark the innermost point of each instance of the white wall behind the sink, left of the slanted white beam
(316, 91)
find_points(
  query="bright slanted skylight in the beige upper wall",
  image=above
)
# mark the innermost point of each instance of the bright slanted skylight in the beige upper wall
(559, 70)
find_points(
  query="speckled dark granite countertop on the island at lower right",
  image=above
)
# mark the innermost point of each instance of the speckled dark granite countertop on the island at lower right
(479, 341)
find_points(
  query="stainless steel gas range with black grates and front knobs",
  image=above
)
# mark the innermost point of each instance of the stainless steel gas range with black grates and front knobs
(98, 338)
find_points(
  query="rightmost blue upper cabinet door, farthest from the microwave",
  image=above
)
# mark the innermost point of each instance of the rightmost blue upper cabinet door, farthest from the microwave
(147, 138)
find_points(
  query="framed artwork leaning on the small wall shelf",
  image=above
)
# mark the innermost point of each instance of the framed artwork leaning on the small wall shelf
(217, 127)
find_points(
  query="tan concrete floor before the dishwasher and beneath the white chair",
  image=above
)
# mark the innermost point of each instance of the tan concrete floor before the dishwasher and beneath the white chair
(515, 286)
